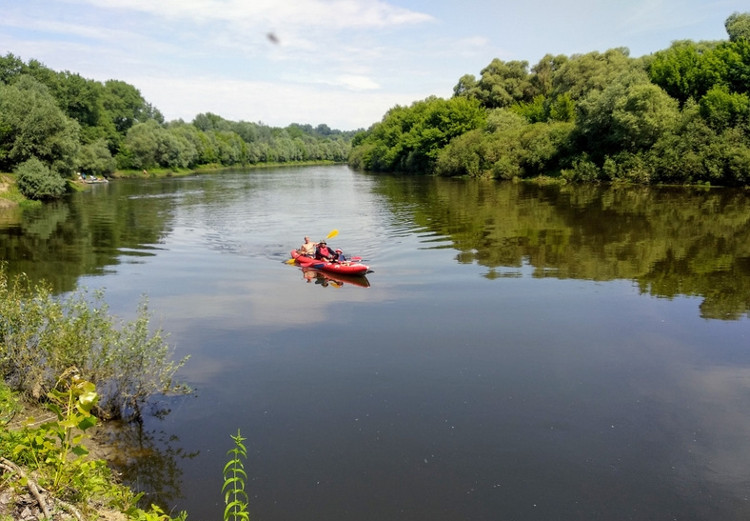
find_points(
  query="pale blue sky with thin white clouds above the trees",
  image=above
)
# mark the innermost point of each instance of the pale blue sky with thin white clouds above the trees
(342, 63)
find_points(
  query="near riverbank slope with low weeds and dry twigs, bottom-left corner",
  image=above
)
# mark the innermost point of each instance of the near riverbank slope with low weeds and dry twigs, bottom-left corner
(27, 485)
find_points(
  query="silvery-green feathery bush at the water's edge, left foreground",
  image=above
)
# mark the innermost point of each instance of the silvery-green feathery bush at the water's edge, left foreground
(41, 337)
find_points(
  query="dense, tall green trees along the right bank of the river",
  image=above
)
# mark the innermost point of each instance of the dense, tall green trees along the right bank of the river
(677, 116)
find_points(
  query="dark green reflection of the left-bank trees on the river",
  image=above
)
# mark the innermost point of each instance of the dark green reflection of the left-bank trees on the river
(85, 235)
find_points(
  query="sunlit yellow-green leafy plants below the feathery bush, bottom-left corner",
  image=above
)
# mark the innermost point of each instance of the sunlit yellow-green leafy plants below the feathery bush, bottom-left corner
(50, 463)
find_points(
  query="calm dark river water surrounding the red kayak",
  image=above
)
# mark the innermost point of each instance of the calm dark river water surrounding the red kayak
(521, 352)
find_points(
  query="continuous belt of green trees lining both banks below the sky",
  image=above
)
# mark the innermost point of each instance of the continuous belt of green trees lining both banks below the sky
(678, 116)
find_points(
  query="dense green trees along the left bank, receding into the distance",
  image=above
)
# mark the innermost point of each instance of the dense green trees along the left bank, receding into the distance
(54, 124)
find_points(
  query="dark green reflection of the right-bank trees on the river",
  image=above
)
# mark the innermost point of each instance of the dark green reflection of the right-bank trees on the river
(670, 241)
